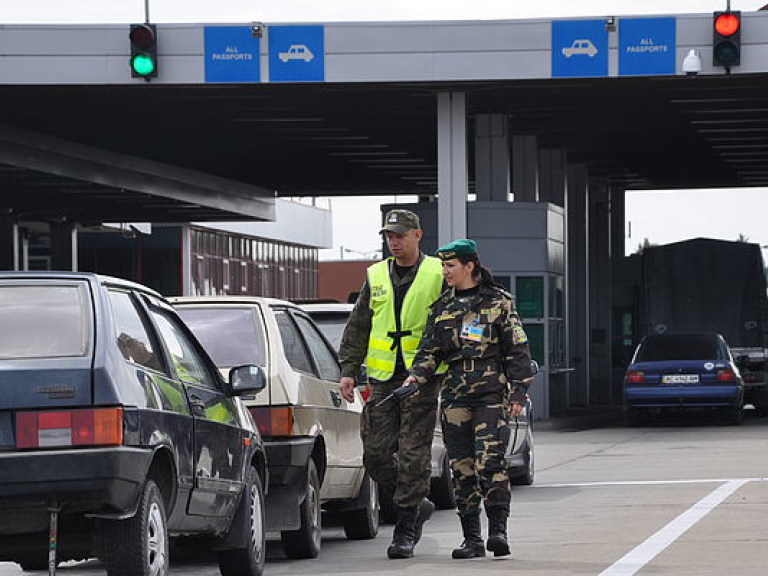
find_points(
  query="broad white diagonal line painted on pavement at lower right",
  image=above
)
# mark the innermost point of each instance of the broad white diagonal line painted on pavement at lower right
(648, 550)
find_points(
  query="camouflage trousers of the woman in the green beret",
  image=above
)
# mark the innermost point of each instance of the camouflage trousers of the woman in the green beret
(476, 434)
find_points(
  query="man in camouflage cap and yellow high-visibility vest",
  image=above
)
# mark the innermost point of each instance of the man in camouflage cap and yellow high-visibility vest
(383, 331)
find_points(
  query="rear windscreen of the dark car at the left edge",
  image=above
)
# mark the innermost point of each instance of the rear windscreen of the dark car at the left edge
(44, 321)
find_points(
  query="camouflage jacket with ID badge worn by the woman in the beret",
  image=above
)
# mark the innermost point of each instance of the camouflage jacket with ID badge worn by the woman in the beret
(482, 340)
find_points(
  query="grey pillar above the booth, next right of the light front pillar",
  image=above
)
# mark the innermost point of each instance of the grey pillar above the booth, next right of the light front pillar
(492, 158)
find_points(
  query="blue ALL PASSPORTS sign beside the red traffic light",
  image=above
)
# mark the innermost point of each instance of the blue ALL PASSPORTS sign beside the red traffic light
(647, 46)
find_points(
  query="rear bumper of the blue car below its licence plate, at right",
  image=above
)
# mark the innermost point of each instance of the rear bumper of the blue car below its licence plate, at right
(683, 396)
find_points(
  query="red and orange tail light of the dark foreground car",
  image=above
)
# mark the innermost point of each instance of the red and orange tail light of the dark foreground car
(86, 427)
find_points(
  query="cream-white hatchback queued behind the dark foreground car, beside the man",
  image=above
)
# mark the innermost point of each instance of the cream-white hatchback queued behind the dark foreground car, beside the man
(311, 434)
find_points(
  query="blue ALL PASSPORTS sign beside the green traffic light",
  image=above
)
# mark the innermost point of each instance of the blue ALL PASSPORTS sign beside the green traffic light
(231, 54)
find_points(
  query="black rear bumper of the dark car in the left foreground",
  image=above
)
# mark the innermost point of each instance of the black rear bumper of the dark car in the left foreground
(95, 481)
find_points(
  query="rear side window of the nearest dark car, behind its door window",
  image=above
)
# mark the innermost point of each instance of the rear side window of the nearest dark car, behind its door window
(133, 339)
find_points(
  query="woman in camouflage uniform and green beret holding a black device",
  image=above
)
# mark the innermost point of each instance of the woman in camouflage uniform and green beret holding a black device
(474, 328)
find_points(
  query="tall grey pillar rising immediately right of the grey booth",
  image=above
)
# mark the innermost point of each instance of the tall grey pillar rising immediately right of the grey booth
(577, 315)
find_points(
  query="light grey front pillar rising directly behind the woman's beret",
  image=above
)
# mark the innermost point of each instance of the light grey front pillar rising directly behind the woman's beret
(451, 166)
